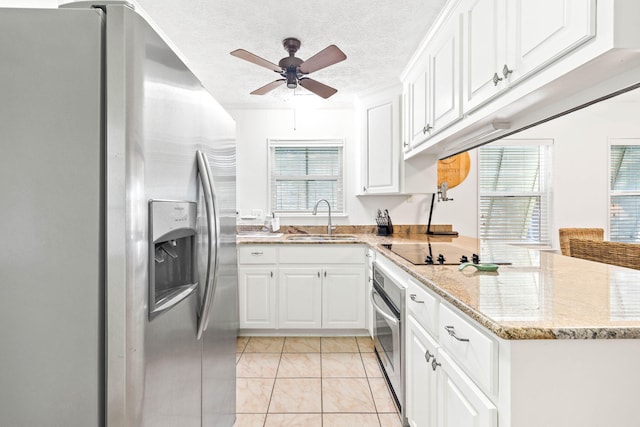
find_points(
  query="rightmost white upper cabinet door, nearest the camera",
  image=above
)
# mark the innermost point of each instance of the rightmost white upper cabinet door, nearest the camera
(540, 31)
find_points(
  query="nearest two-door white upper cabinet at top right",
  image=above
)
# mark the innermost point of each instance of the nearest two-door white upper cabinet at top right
(505, 41)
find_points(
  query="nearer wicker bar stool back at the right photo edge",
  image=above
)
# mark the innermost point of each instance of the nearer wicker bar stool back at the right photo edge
(614, 253)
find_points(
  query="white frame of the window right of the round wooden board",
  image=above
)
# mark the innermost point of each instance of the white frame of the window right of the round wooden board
(546, 194)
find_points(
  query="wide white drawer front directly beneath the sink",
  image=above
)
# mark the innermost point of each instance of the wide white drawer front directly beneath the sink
(314, 254)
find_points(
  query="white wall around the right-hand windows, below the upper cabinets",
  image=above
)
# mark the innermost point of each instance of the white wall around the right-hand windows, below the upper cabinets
(580, 167)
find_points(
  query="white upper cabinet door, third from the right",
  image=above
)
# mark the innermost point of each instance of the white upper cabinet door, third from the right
(444, 58)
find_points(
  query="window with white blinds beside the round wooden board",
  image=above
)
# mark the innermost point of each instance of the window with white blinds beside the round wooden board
(515, 191)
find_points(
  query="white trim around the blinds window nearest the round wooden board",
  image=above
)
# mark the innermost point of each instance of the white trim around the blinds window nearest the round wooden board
(524, 142)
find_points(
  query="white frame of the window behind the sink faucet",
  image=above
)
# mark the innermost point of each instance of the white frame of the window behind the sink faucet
(307, 143)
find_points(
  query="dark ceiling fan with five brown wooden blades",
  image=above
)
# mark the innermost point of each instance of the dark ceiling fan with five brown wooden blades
(294, 70)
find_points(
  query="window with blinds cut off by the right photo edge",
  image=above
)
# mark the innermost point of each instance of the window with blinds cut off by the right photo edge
(624, 213)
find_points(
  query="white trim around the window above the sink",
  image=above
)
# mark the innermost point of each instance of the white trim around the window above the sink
(315, 142)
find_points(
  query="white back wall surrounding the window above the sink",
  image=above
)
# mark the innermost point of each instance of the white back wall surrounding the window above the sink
(255, 126)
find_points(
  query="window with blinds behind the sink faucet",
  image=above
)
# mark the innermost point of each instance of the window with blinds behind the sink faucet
(303, 172)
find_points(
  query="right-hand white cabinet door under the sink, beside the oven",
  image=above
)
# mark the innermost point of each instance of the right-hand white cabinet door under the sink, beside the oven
(343, 297)
